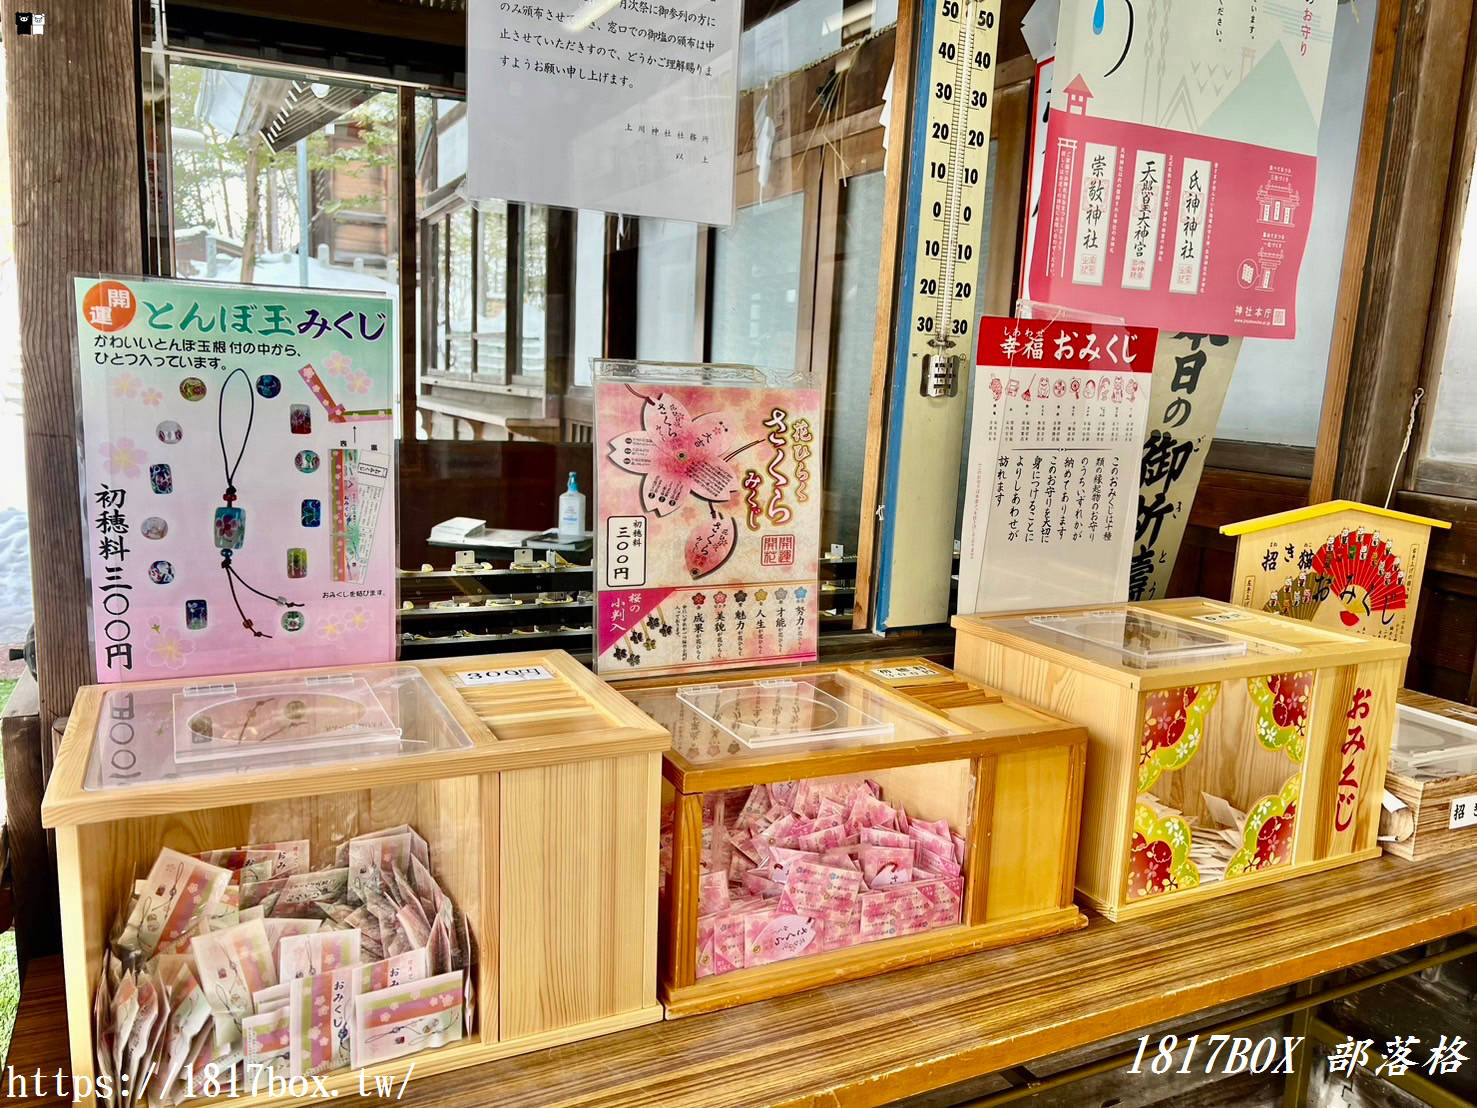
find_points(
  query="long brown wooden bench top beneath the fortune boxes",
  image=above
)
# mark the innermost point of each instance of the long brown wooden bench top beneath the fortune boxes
(874, 1041)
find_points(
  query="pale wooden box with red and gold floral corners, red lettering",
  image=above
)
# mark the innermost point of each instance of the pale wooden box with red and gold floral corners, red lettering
(1230, 748)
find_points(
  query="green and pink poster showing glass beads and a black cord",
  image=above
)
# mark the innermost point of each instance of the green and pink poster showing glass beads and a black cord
(239, 466)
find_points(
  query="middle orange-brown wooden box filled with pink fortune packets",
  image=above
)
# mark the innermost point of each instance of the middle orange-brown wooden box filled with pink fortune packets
(832, 822)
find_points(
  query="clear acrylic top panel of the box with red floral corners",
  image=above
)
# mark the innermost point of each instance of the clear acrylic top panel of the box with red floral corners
(1129, 637)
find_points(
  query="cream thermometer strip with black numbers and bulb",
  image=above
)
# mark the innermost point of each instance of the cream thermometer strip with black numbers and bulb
(950, 209)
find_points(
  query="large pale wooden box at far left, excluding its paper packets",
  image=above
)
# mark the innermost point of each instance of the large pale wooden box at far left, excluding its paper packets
(535, 788)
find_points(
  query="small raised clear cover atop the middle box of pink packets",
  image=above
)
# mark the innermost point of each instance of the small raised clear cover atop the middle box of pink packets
(779, 713)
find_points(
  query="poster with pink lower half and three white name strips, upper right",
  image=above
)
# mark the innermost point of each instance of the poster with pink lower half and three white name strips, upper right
(1181, 162)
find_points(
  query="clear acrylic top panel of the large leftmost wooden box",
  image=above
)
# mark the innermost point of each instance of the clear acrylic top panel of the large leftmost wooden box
(215, 729)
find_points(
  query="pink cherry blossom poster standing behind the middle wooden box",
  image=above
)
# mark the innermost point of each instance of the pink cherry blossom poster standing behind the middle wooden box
(708, 506)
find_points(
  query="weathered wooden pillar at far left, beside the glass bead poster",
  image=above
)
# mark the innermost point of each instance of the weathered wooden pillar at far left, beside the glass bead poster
(72, 97)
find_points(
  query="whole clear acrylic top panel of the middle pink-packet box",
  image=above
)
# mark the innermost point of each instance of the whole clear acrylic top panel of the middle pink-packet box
(750, 722)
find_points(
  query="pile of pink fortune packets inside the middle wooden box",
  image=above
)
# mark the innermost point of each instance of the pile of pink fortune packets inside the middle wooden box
(800, 868)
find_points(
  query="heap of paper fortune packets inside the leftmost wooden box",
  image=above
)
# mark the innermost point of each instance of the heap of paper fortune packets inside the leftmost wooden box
(249, 955)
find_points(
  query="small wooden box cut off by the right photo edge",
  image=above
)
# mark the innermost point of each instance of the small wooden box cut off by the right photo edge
(1433, 779)
